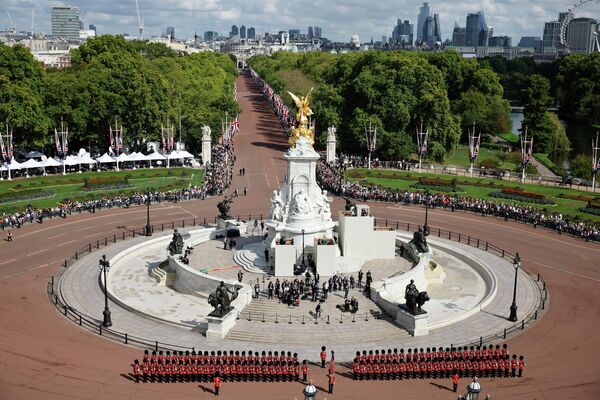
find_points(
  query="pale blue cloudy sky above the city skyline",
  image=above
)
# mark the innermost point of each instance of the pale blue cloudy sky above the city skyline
(339, 19)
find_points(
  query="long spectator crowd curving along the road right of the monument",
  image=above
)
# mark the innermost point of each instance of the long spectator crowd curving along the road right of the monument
(331, 178)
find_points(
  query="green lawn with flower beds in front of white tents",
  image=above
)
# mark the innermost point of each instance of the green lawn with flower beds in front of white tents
(70, 186)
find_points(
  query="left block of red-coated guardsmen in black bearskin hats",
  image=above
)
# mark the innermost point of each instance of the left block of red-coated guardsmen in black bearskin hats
(232, 366)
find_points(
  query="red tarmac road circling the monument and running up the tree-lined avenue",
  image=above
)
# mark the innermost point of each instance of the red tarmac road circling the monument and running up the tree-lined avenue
(44, 356)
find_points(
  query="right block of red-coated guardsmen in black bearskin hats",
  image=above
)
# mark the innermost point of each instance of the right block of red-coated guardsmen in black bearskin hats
(486, 362)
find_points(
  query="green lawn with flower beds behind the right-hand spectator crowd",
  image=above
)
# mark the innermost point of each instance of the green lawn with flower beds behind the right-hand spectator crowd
(401, 180)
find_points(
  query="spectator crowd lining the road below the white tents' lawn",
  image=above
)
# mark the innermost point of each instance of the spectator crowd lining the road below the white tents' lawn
(217, 178)
